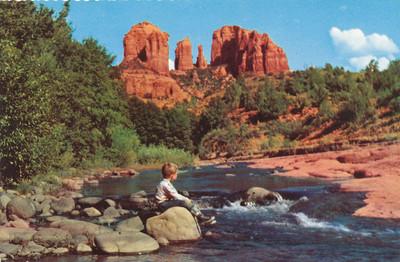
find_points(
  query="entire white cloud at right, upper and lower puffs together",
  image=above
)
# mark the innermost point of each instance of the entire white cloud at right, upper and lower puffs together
(359, 49)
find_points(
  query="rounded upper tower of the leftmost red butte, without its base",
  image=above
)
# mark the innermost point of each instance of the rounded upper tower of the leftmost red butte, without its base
(146, 43)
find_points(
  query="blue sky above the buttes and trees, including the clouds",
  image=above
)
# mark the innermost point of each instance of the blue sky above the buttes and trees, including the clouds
(312, 32)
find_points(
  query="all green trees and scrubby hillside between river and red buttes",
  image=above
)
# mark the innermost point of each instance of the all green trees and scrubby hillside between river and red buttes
(63, 106)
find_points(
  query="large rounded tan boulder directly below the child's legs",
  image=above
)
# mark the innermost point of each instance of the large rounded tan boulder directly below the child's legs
(175, 224)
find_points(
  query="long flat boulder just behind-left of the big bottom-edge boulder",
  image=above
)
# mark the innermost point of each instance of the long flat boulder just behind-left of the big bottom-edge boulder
(77, 227)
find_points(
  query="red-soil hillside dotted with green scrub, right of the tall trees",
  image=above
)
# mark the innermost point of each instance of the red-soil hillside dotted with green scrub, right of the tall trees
(308, 108)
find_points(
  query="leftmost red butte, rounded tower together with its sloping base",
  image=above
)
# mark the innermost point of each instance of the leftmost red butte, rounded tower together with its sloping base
(144, 69)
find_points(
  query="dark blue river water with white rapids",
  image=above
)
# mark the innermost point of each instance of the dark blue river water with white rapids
(320, 228)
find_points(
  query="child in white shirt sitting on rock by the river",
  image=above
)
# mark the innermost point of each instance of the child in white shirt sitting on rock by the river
(167, 196)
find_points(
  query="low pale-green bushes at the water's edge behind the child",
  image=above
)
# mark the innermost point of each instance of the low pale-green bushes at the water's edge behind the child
(160, 154)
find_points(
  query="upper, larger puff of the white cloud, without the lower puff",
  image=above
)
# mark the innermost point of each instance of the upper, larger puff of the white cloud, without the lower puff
(355, 41)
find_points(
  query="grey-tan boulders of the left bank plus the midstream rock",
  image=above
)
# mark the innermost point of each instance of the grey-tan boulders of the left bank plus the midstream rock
(38, 224)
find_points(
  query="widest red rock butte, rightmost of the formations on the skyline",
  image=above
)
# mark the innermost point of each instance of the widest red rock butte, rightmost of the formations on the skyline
(247, 51)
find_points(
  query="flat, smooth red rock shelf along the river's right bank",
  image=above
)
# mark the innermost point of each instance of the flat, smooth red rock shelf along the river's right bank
(374, 170)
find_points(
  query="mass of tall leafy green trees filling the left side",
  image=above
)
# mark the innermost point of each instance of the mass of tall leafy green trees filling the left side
(58, 103)
